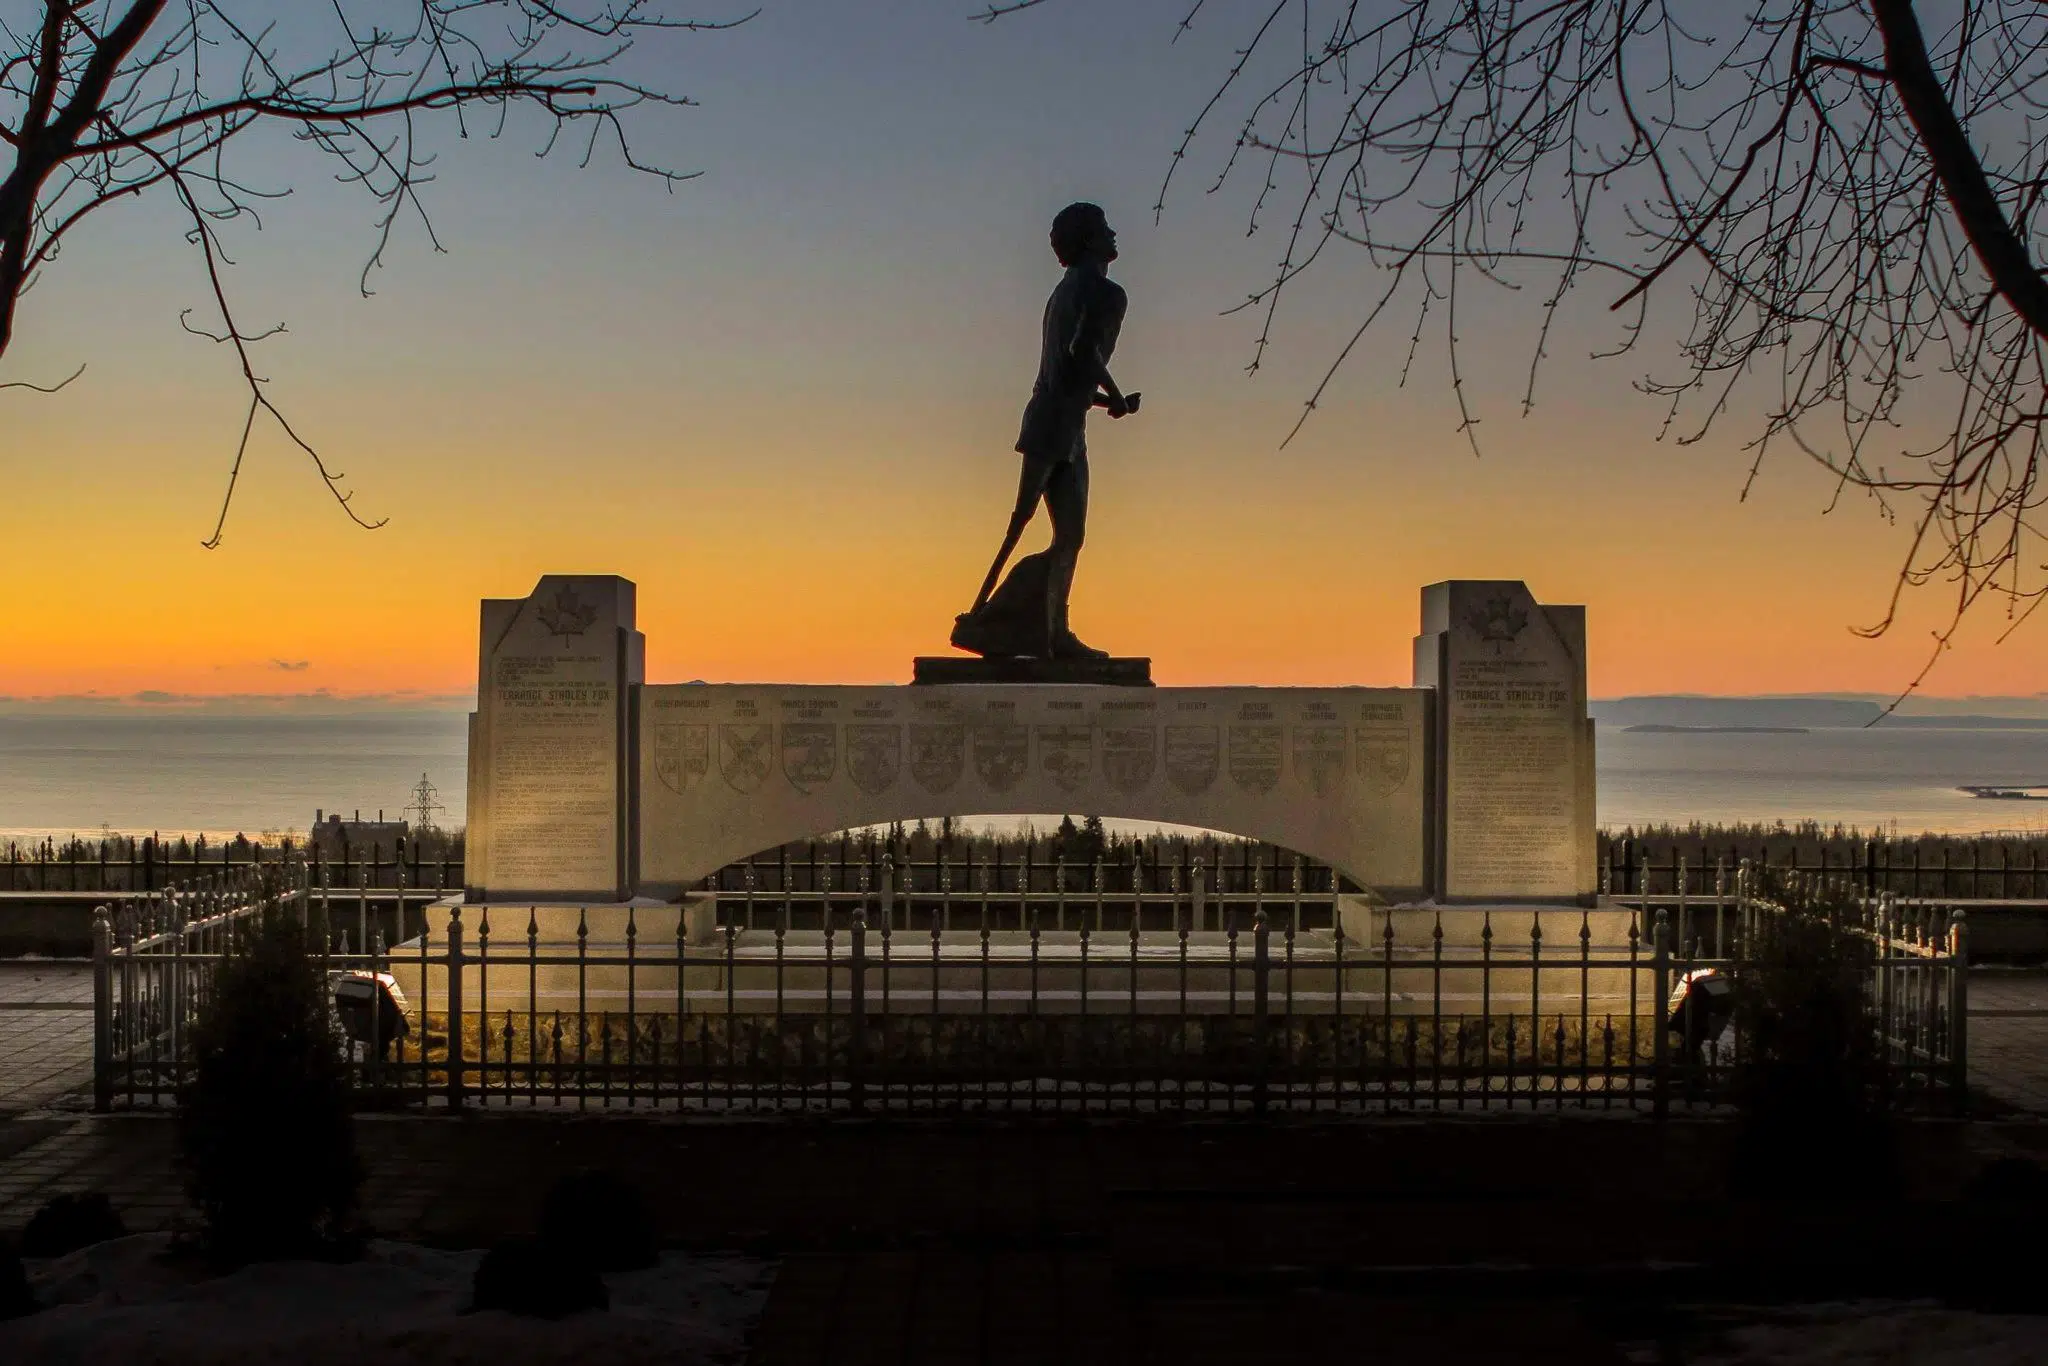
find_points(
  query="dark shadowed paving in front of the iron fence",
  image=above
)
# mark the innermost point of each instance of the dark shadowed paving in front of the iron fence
(1488, 1240)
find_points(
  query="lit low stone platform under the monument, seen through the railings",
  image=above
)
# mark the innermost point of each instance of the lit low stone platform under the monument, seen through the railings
(585, 959)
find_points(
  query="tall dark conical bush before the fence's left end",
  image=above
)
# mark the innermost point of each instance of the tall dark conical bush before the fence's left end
(265, 1132)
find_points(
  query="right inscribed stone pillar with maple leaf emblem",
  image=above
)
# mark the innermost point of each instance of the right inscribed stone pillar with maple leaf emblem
(1514, 749)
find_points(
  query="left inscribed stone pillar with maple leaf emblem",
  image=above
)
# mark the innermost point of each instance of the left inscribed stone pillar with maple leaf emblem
(552, 744)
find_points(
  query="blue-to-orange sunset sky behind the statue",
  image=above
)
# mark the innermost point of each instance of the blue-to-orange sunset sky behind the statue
(783, 398)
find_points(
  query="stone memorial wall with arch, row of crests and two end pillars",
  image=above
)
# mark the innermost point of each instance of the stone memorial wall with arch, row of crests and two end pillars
(591, 785)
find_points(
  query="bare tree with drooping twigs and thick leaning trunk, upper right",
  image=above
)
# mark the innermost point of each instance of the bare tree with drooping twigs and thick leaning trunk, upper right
(1840, 202)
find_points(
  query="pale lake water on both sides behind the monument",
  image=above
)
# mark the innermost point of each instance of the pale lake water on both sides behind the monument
(226, 775)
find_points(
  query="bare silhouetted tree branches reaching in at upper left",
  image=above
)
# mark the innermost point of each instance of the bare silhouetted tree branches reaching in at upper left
(103, 103)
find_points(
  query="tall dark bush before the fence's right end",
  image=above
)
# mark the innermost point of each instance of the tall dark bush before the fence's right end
(1809, 1076)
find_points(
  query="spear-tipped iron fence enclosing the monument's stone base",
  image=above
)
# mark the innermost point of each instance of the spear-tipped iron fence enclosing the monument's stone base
(886, 996)
